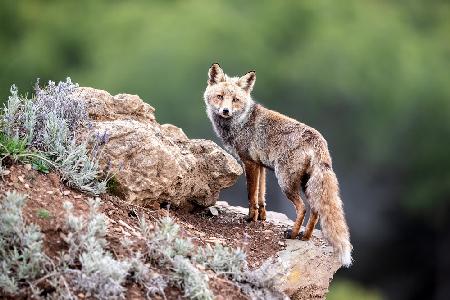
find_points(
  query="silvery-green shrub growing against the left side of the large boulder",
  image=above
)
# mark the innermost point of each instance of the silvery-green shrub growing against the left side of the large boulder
(48, 125)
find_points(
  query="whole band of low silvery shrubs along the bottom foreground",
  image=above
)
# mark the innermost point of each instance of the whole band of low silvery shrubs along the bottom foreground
(168, 259)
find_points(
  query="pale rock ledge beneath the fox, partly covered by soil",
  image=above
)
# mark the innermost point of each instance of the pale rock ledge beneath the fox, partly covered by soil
(308, 267)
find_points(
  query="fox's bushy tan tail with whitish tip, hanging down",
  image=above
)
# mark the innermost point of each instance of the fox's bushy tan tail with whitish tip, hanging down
(323, 192)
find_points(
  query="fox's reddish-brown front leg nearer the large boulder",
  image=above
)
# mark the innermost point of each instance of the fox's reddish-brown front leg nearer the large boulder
(252, 174)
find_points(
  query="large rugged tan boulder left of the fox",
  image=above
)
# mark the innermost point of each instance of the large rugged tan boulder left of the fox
(156, 163)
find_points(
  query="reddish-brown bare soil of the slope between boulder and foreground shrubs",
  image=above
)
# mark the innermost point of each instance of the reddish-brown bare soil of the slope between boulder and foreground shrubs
(44, 207)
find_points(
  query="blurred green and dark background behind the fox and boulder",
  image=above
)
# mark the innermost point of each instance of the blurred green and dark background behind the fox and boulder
(372, 76)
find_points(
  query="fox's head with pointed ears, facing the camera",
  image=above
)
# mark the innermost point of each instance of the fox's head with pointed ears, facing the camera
(228, 97)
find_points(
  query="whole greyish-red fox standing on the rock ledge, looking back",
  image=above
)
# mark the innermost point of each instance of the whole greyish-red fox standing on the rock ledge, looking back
(297, 153)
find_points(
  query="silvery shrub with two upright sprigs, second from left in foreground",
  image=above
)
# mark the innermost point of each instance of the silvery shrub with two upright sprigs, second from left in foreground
(100, 275)
